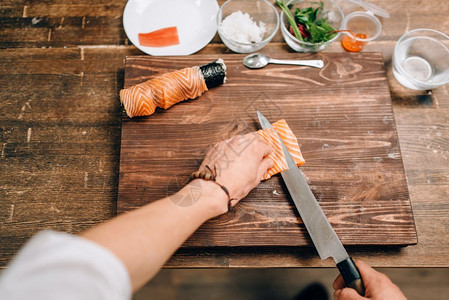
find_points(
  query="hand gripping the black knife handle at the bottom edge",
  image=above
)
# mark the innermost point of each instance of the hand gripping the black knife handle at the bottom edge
(377, 286)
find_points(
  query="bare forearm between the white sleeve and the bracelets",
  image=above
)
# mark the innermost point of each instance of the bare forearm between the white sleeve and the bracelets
(145, 238)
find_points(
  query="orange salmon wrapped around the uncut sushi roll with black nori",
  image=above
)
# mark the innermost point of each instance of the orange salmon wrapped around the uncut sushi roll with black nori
(163, 91)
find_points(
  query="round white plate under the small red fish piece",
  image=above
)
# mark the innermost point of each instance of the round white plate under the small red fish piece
(195, 20)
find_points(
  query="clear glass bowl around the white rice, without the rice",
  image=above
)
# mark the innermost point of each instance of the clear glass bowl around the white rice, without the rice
(260, 11)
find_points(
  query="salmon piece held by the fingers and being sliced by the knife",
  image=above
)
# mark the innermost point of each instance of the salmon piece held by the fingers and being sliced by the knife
(278, 157)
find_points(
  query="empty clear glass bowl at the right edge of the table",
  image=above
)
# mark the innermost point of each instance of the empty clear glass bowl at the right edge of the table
(421, 59)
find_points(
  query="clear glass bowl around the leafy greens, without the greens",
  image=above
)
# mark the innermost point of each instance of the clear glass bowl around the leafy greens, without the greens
(335, 18)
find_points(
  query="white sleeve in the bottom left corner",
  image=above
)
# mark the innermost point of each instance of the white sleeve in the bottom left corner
(55, 265)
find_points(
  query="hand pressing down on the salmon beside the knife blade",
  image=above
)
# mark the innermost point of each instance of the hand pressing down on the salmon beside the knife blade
(239, 163)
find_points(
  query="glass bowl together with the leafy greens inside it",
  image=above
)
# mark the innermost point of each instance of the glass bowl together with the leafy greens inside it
(317, 23)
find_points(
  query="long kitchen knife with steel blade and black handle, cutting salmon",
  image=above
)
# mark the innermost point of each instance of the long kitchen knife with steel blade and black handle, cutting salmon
(320, 230)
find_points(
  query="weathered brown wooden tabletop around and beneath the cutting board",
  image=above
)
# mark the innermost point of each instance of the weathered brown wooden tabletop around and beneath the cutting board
(61, 67)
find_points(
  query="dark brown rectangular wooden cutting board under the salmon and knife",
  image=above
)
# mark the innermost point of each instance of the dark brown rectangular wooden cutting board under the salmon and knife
(342, 116)
